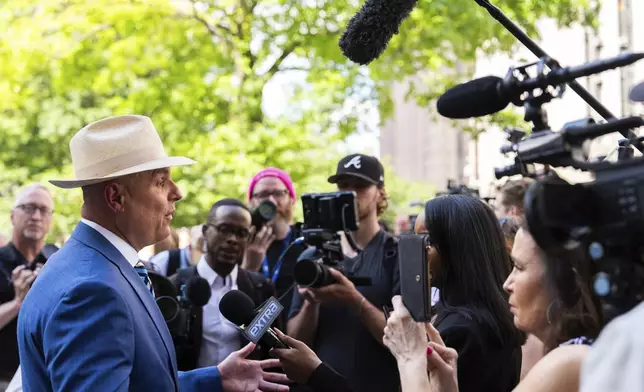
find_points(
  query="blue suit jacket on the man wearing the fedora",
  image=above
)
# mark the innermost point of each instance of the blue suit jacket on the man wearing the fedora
(90, 324)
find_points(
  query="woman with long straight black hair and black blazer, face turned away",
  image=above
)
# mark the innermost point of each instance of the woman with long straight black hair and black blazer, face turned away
(469, 262)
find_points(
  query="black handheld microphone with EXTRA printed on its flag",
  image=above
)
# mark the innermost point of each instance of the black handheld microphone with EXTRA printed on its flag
(240, 310)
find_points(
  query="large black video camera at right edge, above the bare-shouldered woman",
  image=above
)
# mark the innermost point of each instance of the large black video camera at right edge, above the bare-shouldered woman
(604, 217)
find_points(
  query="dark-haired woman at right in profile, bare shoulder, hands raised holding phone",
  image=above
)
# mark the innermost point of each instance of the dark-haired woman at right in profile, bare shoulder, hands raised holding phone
(550, 297)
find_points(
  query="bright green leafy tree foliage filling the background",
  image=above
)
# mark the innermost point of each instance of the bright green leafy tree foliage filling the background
(201, 69)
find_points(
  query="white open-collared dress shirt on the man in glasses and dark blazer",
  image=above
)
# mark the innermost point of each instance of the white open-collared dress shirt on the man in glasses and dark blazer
(219, 337)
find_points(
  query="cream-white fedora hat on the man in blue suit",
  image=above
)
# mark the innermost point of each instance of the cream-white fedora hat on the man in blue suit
(115, 147)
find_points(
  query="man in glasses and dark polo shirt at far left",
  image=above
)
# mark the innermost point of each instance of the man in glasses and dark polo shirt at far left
(31, 218)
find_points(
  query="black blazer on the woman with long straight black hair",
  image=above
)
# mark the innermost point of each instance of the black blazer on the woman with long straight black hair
(484, 363)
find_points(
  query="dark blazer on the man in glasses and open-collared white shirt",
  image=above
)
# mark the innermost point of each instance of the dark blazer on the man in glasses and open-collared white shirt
(253, 284)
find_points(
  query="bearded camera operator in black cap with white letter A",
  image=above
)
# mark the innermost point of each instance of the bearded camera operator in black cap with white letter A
(344, 323)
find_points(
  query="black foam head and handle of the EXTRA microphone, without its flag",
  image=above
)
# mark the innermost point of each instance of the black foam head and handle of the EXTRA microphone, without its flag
(239, 309)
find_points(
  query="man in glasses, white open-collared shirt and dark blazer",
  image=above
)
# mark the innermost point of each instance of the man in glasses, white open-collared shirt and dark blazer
(226, 234)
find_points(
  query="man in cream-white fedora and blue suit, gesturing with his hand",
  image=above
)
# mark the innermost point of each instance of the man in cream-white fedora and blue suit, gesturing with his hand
(90, 321)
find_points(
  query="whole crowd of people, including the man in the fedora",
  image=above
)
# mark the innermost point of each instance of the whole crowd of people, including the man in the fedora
(507, 314)
